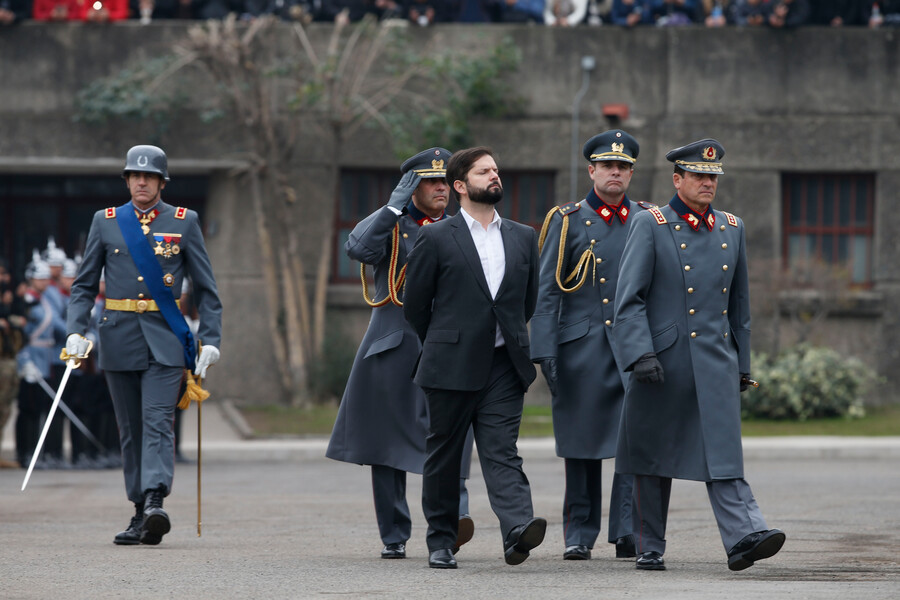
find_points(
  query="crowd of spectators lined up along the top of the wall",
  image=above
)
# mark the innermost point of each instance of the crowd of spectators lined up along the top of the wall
(560, 13)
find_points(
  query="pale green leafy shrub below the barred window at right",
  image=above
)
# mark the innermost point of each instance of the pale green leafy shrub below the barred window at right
(807, 383)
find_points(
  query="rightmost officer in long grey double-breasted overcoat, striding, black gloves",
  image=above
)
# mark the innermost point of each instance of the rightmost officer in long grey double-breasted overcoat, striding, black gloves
(682, 329)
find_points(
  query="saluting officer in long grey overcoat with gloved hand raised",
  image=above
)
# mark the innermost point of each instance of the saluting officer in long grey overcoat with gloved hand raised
(382, 420)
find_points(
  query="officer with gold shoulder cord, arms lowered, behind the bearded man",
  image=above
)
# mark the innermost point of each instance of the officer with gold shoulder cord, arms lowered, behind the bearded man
(570, 337)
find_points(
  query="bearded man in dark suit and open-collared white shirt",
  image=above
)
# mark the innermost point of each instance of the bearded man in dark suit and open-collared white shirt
(471, 286)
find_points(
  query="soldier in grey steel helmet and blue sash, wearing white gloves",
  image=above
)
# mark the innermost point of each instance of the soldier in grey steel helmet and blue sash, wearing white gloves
(141, 356)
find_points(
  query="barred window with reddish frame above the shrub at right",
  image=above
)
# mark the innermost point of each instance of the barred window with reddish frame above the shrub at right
(829, 220)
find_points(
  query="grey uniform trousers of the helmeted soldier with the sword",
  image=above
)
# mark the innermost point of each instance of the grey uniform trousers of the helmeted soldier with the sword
(145, 402)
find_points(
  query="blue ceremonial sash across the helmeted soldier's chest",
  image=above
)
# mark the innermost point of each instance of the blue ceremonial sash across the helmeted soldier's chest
(148, 267)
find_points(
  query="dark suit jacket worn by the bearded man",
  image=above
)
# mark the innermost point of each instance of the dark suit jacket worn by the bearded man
(448, 303)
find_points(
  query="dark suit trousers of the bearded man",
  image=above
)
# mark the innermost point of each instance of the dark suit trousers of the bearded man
(494, 413)
